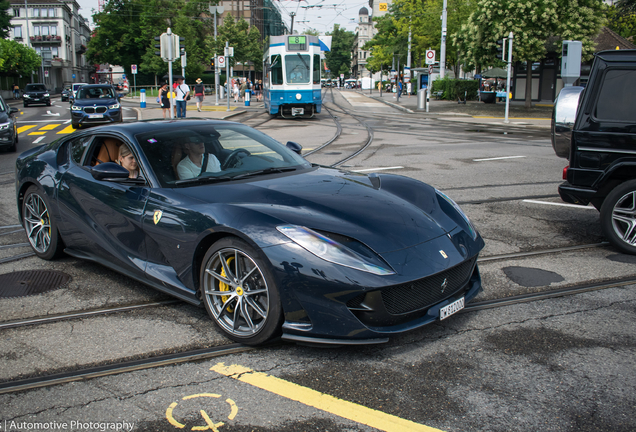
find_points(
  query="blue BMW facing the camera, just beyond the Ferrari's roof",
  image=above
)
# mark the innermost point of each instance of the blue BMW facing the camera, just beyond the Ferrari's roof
(95, 104)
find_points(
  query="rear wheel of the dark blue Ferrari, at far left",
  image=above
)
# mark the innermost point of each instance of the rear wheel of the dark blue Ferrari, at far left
(40, 227)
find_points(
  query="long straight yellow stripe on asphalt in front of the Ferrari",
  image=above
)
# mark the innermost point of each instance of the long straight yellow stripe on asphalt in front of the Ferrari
(321, 401)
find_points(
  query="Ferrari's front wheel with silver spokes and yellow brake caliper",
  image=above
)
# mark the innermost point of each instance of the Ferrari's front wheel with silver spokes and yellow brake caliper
(239, 292)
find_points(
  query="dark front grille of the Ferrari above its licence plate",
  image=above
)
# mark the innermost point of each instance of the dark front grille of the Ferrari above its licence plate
(425, 292)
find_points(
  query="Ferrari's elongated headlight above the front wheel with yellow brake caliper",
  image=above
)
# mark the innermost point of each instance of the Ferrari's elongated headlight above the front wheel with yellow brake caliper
(330, 250)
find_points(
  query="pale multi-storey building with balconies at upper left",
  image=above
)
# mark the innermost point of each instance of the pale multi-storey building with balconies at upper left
(59, 34)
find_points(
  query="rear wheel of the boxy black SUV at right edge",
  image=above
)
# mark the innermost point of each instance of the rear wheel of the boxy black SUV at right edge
(618, 217)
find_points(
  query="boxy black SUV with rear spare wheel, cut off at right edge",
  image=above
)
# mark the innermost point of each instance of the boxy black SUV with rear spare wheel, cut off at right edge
(595, 129)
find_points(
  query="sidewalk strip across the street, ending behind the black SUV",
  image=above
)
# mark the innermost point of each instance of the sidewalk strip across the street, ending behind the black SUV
(473, 112)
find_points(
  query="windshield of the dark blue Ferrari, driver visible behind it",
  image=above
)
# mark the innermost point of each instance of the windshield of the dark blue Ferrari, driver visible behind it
(233, 151)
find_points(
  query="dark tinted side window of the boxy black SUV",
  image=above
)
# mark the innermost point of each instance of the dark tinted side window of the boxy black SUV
(617, 98)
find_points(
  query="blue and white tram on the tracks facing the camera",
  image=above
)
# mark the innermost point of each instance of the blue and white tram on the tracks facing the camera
(291, 87)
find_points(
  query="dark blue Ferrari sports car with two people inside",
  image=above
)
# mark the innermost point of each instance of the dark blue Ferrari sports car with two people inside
(219, 214)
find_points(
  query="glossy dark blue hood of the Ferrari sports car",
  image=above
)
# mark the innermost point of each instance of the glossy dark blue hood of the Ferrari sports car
(340, 202)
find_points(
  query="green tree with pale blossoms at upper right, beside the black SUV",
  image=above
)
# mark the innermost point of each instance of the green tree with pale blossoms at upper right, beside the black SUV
(534, 24)
